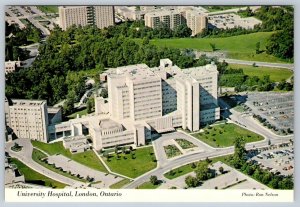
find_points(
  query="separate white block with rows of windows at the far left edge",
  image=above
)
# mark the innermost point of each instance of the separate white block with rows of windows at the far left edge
(30, 118)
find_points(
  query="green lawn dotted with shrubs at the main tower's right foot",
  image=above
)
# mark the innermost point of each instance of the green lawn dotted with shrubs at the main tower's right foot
(224, 135)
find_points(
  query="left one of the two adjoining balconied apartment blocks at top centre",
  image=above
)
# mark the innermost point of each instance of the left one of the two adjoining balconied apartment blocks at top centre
(170, 18)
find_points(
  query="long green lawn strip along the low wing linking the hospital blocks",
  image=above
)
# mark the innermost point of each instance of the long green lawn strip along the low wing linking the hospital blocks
(88, 158)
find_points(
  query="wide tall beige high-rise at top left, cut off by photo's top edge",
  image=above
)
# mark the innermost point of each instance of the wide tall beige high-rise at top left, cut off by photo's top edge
(101, 16)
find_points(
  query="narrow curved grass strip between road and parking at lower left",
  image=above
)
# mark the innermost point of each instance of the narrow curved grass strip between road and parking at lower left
(38, 156)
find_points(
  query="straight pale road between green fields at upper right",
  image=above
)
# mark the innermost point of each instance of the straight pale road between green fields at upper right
(264, 64)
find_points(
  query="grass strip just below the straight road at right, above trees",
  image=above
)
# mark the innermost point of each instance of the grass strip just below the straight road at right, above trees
(276, 74)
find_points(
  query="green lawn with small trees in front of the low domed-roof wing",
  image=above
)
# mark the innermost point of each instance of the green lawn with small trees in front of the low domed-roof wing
(142, 163)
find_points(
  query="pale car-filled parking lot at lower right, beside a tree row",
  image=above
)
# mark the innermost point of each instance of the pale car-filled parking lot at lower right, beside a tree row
(278, 161)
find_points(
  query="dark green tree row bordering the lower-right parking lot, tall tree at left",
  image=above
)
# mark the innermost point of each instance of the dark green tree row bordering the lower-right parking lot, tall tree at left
(239, 161)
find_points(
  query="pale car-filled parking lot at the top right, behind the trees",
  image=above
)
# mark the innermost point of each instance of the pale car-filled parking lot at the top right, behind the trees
(223, 21)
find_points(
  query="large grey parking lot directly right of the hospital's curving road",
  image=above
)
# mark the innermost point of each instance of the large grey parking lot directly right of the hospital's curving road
(276, 108)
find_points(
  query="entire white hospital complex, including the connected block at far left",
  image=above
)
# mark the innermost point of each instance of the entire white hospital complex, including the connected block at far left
(142, 103)
